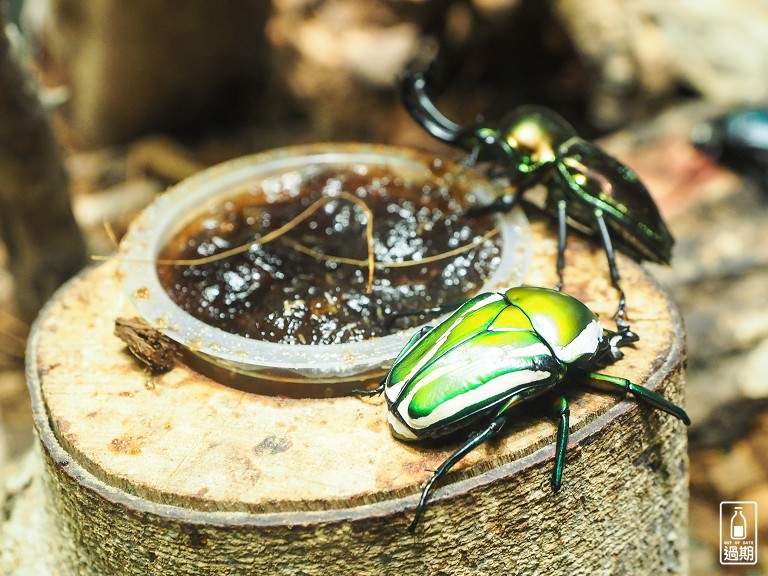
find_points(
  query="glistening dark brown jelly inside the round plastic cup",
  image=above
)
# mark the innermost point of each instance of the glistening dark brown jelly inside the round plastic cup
(276, 293)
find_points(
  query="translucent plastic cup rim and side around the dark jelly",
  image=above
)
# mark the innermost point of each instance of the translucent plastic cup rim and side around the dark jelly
(293, 370)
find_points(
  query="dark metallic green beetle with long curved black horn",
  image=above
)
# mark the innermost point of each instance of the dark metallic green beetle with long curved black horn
(586, 186)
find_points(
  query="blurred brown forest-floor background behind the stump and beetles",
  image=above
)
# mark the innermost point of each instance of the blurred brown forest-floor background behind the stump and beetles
(104, 103)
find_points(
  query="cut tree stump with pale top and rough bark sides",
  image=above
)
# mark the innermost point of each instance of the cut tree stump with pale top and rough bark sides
(180, 474)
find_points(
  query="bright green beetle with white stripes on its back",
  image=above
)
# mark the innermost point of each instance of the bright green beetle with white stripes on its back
(493, 353)
